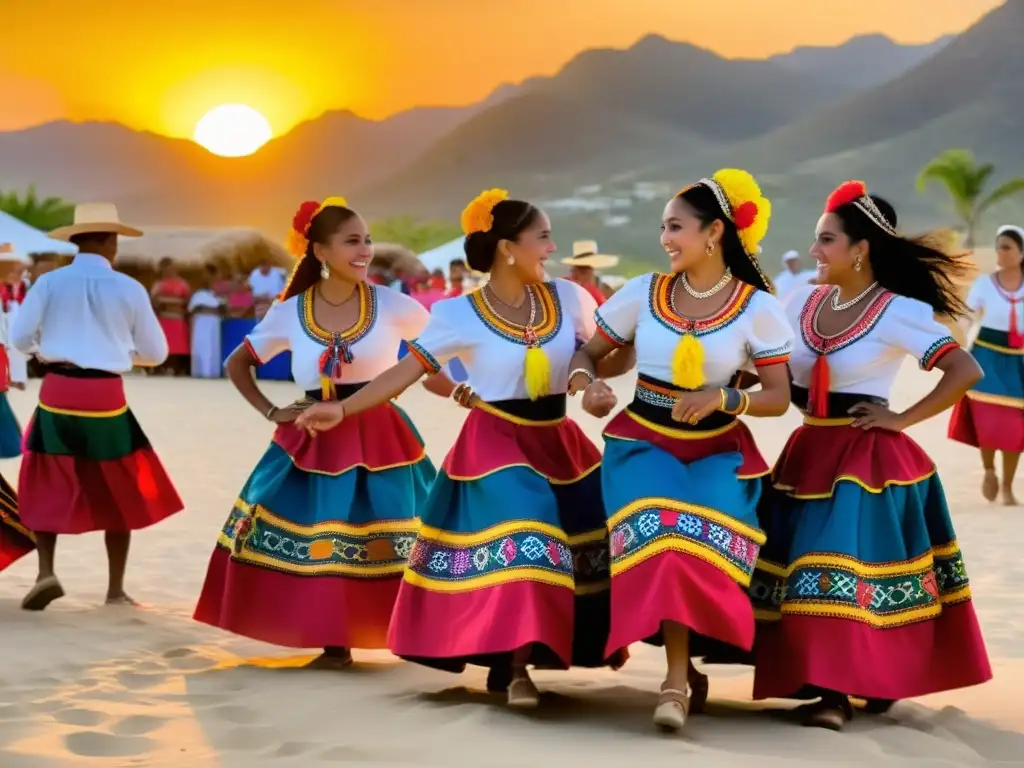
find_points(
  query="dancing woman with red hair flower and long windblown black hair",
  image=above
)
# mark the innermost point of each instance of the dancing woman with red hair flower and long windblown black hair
(863, 572)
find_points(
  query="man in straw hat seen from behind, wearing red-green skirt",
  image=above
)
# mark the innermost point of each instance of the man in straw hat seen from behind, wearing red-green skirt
(88, 465)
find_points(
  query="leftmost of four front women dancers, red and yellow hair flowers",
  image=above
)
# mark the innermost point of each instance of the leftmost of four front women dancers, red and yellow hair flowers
(313, 552)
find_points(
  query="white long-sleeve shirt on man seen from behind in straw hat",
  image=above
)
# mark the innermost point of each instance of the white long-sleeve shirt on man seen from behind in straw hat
(90, 316)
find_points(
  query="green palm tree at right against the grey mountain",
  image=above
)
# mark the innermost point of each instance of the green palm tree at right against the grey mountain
(965, 180)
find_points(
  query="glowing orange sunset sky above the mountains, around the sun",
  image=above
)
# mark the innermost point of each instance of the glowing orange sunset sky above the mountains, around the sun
(159, 66)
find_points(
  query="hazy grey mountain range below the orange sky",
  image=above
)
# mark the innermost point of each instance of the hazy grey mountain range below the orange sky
(659, 112)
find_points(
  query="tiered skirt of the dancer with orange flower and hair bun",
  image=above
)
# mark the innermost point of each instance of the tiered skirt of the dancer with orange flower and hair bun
(513, 550)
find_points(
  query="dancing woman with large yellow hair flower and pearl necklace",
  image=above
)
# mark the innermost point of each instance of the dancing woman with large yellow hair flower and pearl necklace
(681, 475)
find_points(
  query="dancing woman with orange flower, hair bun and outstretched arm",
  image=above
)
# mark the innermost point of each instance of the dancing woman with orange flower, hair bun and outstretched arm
(510, 563)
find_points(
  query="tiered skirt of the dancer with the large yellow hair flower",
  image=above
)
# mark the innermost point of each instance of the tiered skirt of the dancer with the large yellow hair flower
(681, 505)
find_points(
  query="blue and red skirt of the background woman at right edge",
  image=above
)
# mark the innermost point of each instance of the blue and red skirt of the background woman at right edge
(992, 415)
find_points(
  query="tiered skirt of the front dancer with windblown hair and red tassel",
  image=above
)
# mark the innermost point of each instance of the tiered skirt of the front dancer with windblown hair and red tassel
(863, 586)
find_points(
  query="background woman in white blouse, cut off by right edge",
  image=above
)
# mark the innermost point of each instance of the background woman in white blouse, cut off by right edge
(991, 416)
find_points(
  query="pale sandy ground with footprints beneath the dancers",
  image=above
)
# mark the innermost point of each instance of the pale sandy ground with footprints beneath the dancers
(82, 684)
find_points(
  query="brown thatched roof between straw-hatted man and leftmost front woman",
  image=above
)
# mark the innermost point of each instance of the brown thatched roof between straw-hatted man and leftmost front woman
(194, 249)
